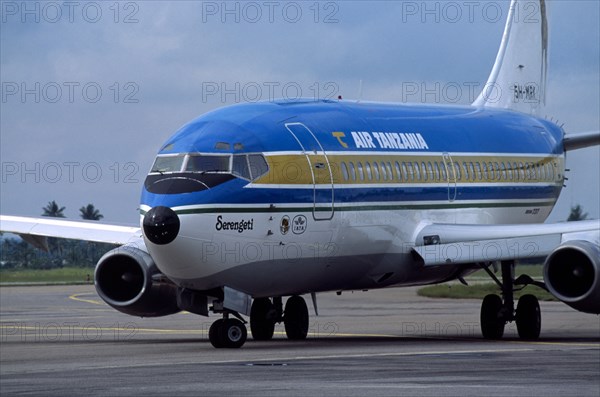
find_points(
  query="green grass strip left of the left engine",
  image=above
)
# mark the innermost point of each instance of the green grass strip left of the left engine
(65, 275)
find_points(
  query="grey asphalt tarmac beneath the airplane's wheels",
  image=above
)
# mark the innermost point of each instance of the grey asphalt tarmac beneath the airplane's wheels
(64, 341)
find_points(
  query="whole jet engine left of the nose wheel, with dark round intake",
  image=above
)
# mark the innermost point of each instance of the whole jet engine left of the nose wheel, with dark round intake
(127, 279)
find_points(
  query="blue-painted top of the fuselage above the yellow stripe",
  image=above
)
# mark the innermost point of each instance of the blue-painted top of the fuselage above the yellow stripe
(260, 127)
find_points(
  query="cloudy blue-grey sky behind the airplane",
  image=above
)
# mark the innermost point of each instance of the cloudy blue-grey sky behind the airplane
(90, 90)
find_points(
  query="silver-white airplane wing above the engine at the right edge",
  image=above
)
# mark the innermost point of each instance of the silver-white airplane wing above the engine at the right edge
(438, 244)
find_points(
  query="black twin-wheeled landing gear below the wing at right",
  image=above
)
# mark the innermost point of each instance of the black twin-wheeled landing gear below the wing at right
(496, 311)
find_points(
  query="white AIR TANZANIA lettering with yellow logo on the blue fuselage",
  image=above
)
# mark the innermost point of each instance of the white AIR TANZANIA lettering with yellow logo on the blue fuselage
(382, 140)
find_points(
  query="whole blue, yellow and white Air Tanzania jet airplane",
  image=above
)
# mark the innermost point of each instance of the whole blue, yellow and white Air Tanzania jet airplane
(253, 203)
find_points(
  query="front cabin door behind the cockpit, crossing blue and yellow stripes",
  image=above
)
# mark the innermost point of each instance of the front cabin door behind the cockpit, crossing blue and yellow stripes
(321, 175)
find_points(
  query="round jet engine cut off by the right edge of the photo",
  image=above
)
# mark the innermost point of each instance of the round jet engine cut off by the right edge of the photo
(572, 274)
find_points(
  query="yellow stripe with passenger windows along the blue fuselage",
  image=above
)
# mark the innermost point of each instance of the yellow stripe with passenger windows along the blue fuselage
(384, 168)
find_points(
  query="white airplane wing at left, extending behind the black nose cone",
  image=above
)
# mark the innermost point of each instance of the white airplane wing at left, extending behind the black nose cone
(36, 230)
